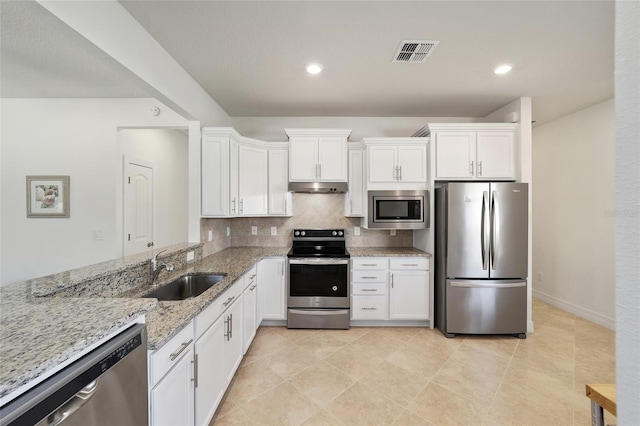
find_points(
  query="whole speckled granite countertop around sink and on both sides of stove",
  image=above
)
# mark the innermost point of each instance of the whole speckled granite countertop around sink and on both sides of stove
(40, 333)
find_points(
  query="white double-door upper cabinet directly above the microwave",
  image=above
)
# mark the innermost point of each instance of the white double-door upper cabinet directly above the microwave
(396, 160)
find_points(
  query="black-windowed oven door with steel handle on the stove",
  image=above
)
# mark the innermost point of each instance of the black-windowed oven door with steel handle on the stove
(318, 283)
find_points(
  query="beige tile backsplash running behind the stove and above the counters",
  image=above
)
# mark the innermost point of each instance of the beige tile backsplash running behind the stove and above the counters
(309, 211)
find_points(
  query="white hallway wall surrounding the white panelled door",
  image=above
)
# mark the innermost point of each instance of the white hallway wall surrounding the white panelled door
(167, 151)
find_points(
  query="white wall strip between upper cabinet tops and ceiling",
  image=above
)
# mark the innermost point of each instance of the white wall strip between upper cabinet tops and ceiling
(272, 128)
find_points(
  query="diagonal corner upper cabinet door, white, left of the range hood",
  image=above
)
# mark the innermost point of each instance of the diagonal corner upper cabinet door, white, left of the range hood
(252, 180)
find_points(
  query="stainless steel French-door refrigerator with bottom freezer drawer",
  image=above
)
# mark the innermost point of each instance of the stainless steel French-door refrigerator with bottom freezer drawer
(481, 253)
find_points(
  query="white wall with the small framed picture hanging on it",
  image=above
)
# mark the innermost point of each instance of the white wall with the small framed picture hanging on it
(74, 137)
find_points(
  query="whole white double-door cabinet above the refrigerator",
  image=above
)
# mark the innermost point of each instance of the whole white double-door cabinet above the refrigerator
(474, 151)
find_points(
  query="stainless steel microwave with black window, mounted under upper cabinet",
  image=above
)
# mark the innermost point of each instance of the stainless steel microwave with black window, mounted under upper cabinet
(398, 209)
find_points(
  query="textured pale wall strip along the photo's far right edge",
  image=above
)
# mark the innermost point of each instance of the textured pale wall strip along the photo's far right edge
(627, 229)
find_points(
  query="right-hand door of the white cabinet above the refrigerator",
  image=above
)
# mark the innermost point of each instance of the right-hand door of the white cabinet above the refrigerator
(494, 152)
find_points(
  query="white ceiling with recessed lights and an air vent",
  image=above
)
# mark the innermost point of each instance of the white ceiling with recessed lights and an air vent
(250, 55)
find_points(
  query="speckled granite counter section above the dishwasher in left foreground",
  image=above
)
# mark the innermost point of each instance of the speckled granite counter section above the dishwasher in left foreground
(36, 335)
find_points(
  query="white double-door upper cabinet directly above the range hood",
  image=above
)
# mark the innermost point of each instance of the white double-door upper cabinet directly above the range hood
(318, 155)
